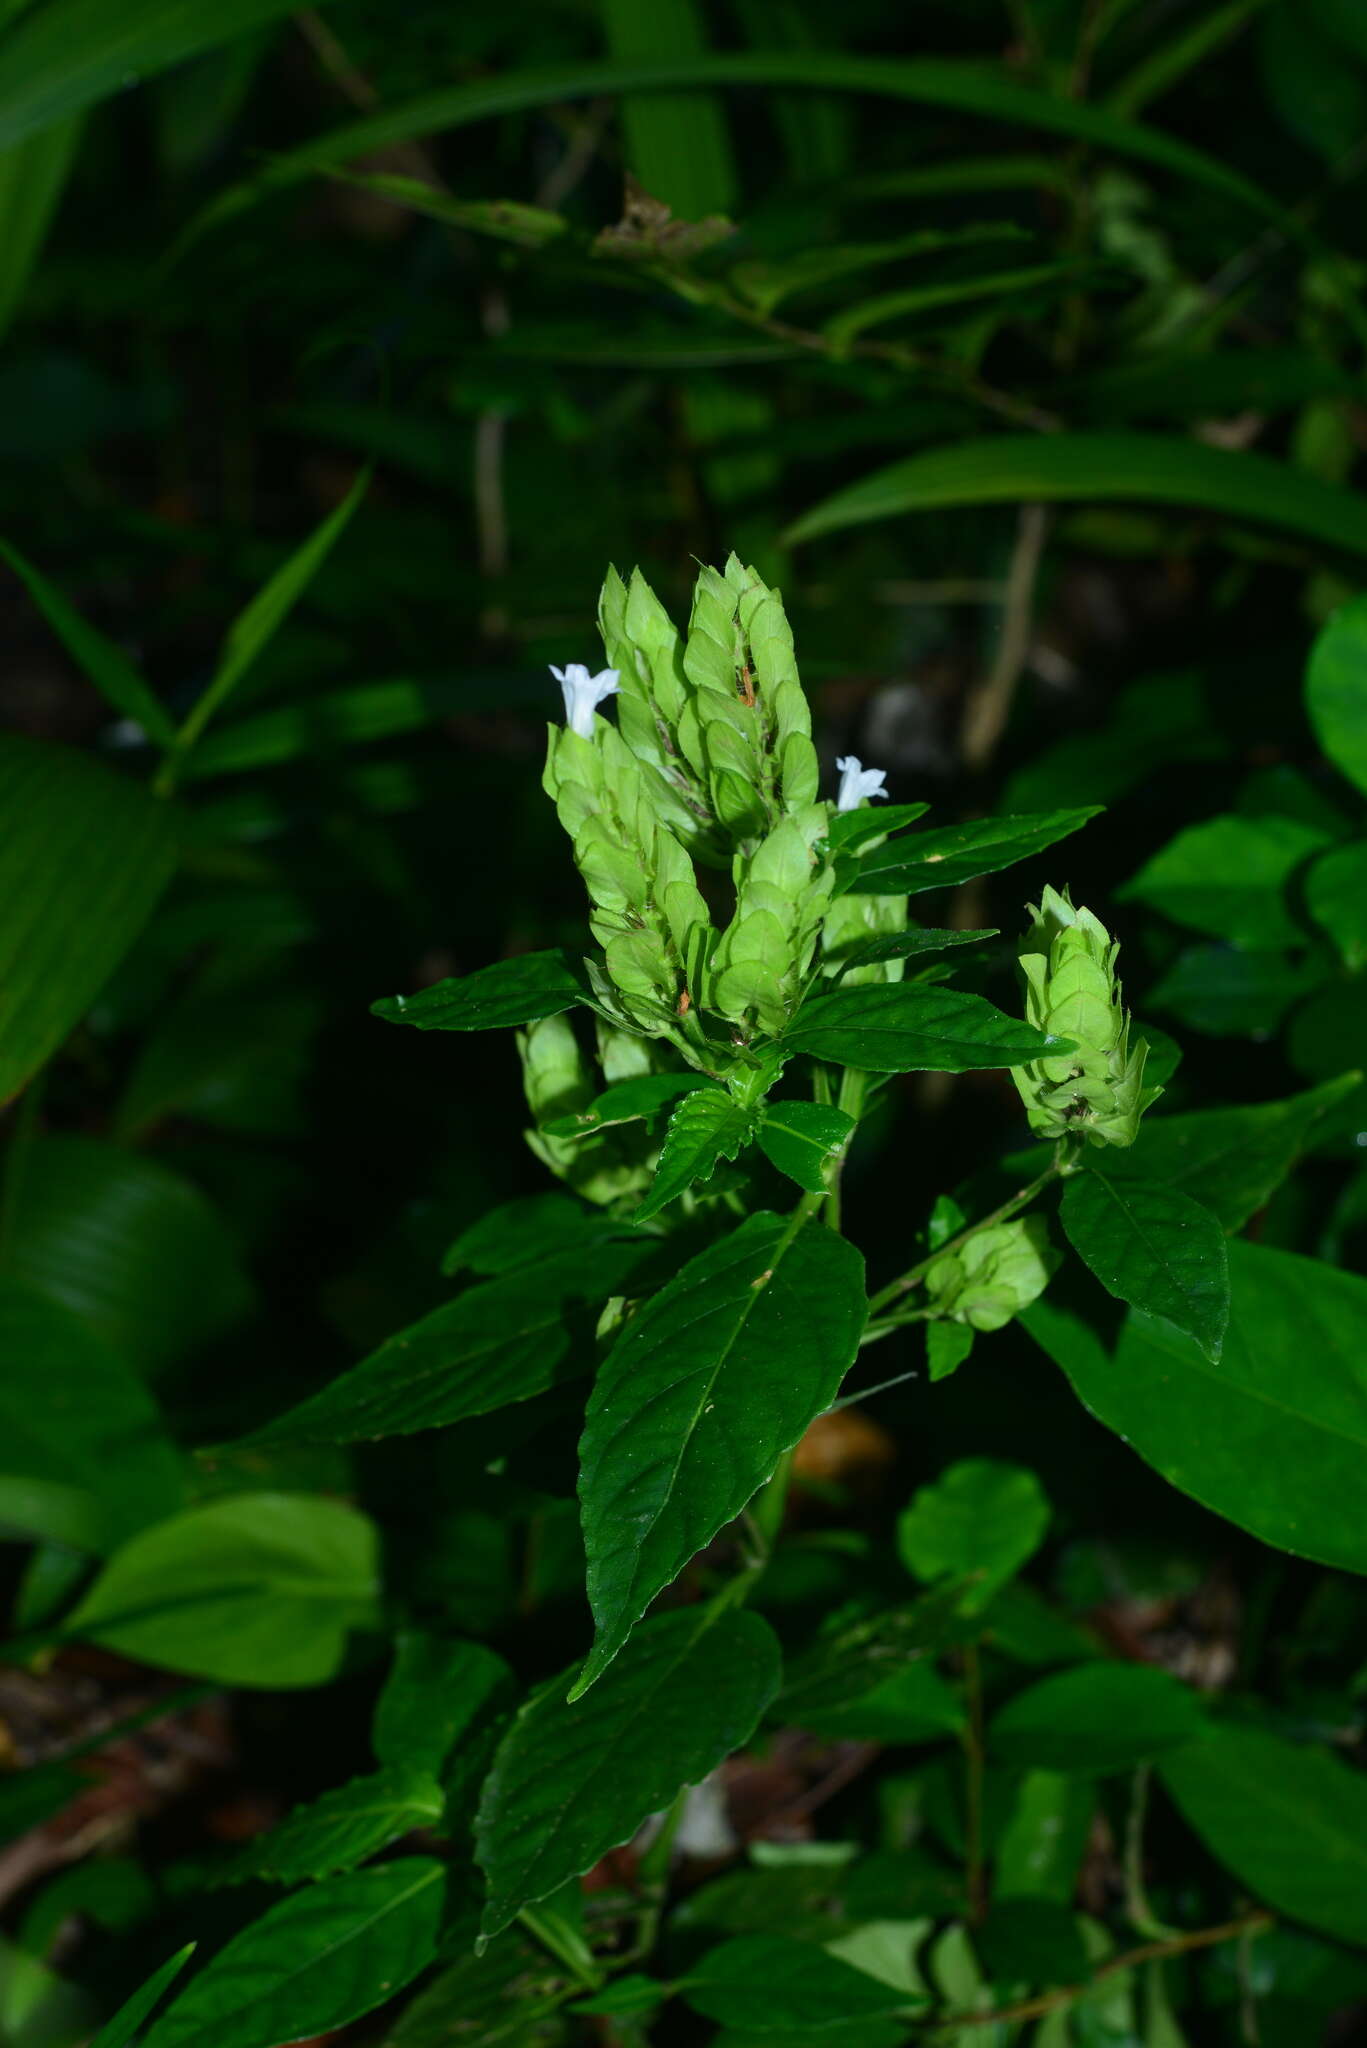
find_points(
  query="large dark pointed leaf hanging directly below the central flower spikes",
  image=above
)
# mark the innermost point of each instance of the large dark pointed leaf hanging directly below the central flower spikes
(700, 1398)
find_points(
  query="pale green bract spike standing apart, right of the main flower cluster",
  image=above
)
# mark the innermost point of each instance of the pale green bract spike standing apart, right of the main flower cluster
(1071, 992)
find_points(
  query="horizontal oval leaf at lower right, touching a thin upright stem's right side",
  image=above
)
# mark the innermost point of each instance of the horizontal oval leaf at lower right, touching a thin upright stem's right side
(1100, 1717)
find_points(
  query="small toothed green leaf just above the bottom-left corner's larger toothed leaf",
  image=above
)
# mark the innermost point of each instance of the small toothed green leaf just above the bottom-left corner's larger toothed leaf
(343, 1828)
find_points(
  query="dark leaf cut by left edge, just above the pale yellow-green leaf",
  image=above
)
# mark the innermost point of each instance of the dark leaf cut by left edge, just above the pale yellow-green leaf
(85, 1459)
